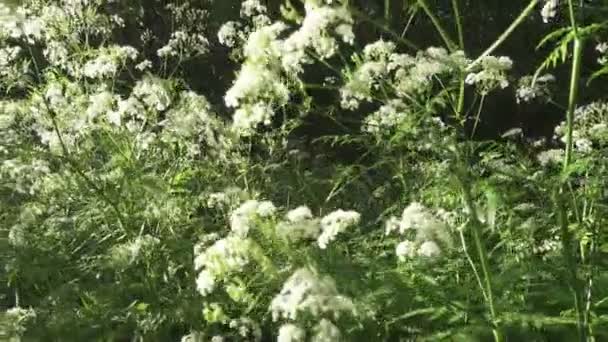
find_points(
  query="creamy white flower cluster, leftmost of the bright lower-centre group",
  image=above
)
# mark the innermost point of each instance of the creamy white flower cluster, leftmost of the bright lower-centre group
(228, 255)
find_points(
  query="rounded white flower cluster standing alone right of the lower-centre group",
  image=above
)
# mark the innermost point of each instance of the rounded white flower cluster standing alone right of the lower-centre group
(428, 232)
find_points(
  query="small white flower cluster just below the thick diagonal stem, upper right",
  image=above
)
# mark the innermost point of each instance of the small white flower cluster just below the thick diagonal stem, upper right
(491, 74)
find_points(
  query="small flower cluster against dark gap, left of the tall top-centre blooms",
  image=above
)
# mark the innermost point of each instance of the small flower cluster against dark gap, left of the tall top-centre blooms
(184, 45)
